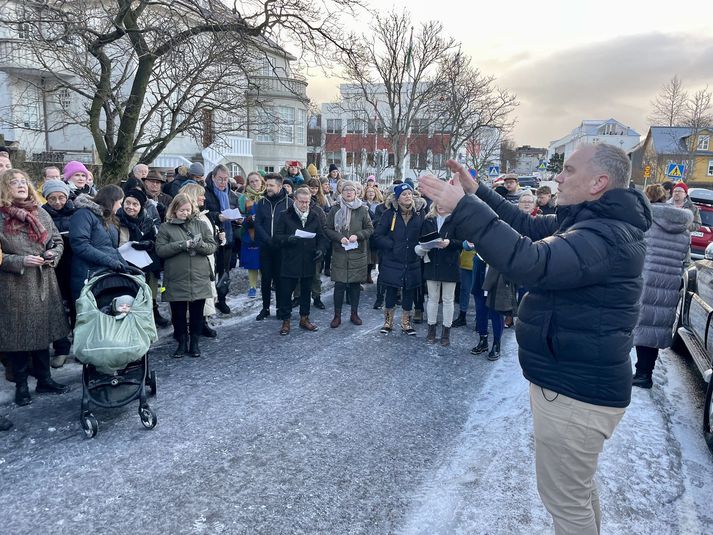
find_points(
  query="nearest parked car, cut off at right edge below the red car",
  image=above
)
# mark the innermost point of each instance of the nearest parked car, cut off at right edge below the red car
(692, 330)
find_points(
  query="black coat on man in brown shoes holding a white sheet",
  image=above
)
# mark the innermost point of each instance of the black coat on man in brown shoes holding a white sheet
(298, 254)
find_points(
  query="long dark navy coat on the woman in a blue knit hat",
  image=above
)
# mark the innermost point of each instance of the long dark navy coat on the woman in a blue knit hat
(400, 266)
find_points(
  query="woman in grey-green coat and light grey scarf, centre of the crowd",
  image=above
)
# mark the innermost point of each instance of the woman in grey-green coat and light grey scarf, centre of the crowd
(348, 228)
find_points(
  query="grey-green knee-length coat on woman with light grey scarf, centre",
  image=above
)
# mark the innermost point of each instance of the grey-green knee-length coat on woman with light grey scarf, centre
(350, 266)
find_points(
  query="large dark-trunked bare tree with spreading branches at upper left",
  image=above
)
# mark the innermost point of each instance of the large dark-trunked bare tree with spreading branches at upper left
(148, 70)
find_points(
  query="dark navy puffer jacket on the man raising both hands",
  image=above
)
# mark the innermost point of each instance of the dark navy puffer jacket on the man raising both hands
(583, 270)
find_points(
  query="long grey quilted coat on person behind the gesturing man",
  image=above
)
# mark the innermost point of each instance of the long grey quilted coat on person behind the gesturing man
(667, 245)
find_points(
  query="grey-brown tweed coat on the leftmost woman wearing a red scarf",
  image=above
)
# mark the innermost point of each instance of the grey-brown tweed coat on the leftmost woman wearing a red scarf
(32, 314)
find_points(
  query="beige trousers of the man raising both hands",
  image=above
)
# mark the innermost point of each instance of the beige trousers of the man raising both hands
(569, 436)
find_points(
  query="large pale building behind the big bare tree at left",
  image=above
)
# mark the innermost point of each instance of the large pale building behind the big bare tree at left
(35, 120)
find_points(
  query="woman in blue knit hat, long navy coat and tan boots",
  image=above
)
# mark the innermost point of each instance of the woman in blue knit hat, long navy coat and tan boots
(396, 235)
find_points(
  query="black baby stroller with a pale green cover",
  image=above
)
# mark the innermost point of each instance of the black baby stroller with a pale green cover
(114, 348)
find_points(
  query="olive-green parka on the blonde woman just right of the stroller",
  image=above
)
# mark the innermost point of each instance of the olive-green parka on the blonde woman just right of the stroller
(187, 275)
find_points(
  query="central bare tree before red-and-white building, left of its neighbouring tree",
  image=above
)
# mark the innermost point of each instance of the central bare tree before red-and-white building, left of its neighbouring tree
(395, 77)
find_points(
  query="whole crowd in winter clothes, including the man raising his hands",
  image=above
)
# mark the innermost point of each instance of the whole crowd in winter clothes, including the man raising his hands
(432, 247)
